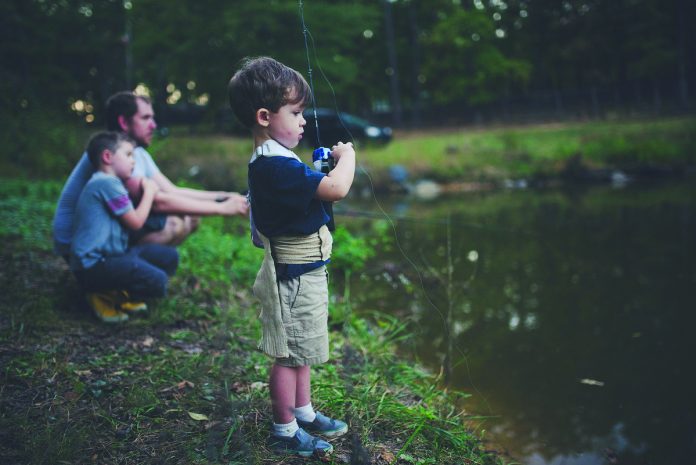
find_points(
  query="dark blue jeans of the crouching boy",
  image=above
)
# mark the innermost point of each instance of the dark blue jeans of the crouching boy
(142, 272)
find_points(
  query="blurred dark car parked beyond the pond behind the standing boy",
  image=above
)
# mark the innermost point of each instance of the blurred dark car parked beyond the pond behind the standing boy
(345, 128)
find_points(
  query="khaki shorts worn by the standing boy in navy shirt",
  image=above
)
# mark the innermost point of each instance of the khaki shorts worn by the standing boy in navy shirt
(304, 303)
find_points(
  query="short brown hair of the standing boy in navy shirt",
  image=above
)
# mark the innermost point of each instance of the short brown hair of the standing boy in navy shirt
(263, 82)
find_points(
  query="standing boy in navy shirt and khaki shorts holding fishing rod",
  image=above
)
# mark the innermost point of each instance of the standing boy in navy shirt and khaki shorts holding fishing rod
(286, 201)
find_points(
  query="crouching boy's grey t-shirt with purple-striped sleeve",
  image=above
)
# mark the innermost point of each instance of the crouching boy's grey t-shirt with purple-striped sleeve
(97, 232)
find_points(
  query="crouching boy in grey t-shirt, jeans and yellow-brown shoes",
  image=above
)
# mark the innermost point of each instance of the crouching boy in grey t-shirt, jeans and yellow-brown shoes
(103, 264)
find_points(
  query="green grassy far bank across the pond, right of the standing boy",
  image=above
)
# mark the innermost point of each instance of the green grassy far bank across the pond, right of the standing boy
(497, 154)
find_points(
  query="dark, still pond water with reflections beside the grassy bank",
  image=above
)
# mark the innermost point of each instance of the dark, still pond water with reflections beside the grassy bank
(570, 319)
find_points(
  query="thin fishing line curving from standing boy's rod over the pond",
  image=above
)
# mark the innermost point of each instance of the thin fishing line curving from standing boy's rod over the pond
(415, 267)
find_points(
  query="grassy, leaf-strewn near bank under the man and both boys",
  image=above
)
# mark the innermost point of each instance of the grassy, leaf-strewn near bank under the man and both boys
(185, 384)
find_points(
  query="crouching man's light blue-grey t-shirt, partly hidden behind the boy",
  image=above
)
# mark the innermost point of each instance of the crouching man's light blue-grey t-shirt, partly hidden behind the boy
(65, 210)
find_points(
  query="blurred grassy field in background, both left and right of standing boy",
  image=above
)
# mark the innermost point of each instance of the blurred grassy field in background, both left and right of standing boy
(466, 154)
